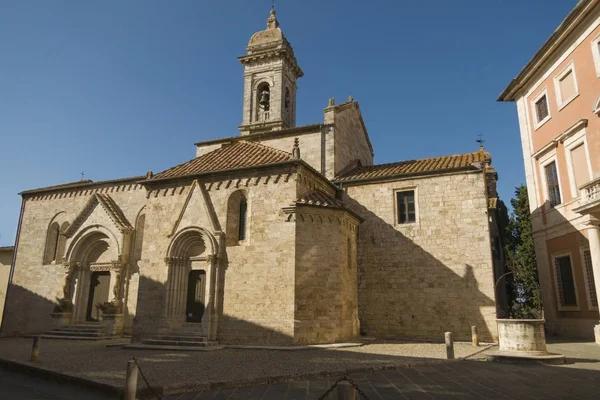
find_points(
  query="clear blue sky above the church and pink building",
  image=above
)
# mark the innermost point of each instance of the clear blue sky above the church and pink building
(117, 88)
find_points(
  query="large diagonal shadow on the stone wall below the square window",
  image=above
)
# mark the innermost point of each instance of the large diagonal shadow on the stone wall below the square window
(406, 292)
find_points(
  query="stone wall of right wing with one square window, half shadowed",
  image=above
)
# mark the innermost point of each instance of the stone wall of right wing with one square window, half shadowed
(436, 275)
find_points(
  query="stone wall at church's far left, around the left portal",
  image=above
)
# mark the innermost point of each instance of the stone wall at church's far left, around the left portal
(36, 288)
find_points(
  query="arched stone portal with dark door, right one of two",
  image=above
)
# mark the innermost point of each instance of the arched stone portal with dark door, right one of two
(191, 280)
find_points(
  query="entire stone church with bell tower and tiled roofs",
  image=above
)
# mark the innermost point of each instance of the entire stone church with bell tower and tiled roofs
(282, 234)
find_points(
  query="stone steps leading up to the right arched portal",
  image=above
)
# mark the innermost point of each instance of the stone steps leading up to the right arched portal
(187, 338)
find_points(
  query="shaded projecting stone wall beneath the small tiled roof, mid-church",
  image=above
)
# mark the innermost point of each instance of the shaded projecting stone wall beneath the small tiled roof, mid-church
(326, 277)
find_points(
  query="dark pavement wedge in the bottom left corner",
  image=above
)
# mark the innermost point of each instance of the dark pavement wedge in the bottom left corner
(22, 387)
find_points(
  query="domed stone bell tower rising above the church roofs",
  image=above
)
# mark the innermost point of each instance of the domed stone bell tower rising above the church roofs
(270, 75)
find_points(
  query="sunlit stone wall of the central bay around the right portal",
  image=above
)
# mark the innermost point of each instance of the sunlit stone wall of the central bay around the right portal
(256, 275)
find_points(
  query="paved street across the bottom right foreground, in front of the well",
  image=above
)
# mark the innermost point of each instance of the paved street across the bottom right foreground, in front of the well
(472, 379)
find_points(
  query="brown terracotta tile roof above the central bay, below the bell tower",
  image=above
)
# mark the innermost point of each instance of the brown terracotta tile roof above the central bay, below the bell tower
(230, 156)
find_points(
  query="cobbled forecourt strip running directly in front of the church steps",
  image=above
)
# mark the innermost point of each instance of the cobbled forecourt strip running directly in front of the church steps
(94, 361)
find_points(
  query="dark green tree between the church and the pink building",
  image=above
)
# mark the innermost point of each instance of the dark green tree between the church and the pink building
(519, 253)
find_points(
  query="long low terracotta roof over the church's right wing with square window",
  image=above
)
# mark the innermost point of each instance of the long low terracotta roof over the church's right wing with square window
(415, 167)
